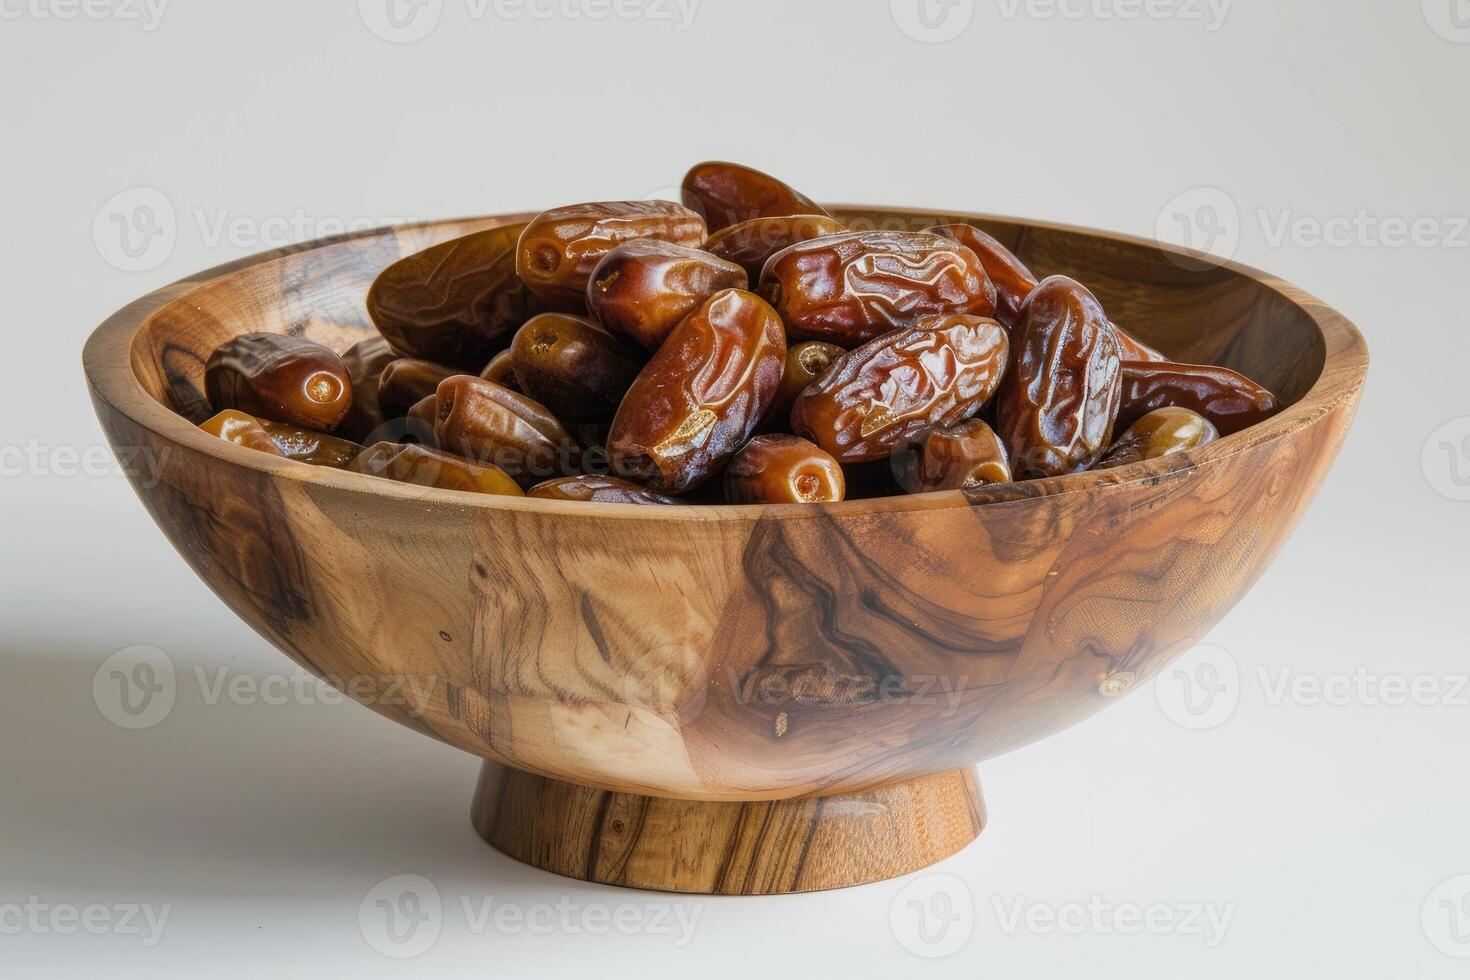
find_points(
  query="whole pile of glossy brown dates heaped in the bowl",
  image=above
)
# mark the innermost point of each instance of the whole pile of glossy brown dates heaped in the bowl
(742, 347)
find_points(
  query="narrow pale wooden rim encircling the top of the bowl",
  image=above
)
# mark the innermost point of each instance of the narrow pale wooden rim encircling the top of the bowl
(108, 365)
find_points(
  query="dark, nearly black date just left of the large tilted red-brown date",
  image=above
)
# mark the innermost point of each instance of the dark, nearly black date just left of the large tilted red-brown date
(573, 367)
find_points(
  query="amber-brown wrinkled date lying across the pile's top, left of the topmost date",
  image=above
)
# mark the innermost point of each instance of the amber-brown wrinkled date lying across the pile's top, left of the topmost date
(559, 249)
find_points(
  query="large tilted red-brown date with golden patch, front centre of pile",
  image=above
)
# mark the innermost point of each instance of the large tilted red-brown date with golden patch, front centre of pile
(700, 397)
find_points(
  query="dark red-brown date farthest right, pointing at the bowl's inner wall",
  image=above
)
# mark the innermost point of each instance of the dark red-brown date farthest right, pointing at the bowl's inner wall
(1231, 402)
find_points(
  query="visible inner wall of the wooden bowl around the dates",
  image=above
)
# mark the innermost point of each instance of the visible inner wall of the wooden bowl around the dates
(1193, 314)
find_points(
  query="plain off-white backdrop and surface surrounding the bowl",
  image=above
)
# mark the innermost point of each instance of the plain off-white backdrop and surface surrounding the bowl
(1331, 835)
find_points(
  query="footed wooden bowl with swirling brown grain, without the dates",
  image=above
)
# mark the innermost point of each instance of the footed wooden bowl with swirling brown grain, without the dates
(734, 700)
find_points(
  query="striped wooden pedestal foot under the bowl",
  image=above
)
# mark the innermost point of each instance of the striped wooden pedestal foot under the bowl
(728, 849)
